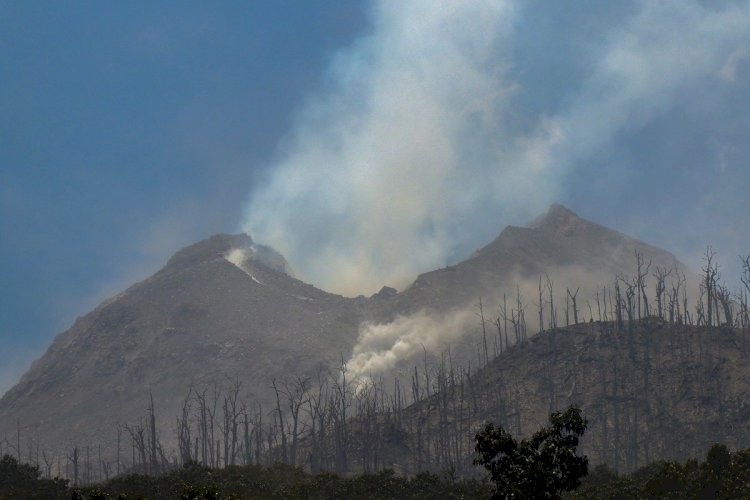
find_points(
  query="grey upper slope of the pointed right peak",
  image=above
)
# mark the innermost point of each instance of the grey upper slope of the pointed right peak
(574, 252)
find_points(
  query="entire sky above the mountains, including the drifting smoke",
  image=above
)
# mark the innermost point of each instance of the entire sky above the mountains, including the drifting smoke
(377, 138)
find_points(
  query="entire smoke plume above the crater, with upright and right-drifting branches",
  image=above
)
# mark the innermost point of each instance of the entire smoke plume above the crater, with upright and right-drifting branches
(412, 142)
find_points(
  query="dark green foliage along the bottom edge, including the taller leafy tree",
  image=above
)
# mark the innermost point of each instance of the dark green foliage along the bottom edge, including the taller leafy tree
(542, 467)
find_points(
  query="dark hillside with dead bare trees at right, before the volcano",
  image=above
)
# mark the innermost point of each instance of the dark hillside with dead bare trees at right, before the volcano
(651, 390)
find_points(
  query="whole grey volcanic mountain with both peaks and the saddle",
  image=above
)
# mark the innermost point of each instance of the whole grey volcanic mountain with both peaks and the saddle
(226, 309)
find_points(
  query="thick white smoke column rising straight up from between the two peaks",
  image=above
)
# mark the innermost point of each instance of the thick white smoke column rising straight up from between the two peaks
(382, 169)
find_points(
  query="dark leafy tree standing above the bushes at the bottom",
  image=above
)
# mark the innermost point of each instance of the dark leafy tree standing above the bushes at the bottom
(540, 467)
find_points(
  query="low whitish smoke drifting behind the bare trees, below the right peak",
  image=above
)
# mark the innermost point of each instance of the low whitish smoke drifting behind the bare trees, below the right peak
(381, 347)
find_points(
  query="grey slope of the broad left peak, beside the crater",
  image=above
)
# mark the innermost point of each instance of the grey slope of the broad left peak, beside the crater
(196, 322)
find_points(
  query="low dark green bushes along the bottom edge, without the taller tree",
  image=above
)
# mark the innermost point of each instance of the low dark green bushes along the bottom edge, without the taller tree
(723, 474)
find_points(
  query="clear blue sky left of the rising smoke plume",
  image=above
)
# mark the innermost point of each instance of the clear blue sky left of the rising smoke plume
(129, 129)
